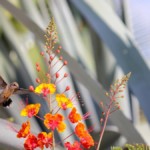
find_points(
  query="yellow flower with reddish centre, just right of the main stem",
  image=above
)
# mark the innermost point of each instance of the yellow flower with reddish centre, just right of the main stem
(63, 101)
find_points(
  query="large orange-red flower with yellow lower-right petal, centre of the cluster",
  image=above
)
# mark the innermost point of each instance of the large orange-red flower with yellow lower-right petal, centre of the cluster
(54, 121)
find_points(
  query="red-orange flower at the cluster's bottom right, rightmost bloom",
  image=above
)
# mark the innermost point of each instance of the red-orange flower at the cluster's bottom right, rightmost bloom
(87, 141)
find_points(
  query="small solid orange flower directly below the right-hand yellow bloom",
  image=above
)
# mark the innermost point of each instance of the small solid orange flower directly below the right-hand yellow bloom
(74, 117)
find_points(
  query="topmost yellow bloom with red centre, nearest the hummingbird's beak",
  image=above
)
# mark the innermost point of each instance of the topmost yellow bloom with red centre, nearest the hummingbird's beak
(45, 89)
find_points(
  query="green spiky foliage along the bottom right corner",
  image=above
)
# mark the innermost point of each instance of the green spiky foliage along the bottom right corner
(132, 147)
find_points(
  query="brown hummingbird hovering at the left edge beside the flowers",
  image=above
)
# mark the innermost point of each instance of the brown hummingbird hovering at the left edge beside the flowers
(6, 90)
